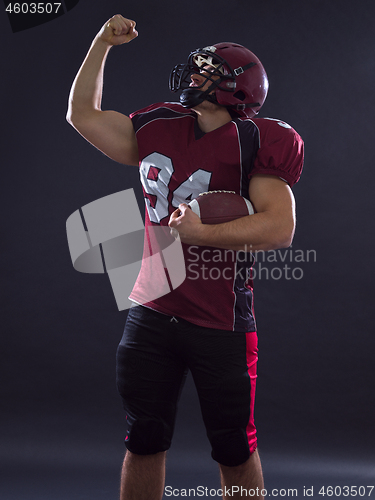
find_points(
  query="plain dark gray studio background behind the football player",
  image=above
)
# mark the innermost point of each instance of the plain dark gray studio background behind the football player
(61, 419)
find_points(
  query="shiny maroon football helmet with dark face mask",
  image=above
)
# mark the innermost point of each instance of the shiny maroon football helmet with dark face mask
(238, 78)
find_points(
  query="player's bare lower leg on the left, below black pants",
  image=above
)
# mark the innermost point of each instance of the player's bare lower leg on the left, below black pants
(143, 476)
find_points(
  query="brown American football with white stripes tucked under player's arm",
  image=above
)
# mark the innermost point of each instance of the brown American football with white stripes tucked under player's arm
(216, 207)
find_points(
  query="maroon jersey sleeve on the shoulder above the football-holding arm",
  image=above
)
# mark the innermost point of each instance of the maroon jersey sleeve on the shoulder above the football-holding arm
(281, 150)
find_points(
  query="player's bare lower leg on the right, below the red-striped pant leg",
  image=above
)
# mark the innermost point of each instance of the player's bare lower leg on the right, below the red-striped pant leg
(248, 476)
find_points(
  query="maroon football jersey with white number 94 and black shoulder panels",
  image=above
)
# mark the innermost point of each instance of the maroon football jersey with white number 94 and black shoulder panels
(177, 163)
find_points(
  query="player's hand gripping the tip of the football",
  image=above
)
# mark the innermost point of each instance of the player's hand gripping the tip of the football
(187, 223)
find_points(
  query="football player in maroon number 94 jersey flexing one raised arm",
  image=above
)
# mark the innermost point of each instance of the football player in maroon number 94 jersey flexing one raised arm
(211, 139)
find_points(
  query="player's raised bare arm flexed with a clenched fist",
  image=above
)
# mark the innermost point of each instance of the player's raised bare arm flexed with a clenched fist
(109, 131)
